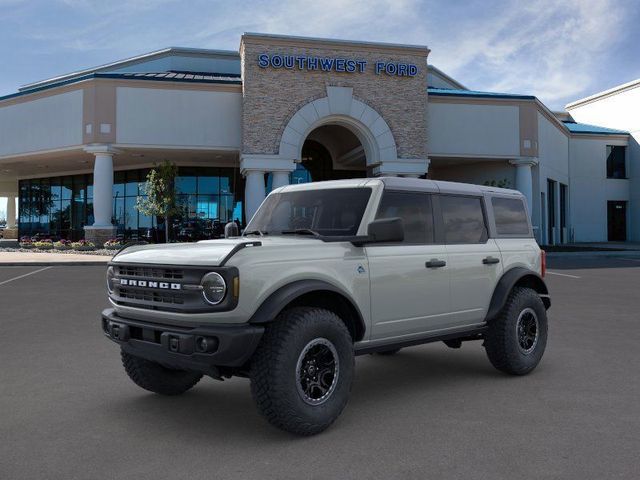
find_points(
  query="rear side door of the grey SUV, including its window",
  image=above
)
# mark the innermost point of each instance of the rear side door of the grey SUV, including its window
(475, 263)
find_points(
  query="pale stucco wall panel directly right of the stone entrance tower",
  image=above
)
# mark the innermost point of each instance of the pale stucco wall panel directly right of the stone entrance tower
(473, 129)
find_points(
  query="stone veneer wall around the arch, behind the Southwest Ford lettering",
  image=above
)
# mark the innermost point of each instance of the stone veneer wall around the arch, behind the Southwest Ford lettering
(271, 96)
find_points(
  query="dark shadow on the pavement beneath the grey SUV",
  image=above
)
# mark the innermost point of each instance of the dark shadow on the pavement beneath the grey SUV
(226, 410)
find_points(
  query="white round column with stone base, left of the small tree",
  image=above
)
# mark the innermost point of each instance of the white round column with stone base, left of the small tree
(102, 228)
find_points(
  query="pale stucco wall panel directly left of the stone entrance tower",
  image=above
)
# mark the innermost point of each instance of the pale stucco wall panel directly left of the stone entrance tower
(193, 118)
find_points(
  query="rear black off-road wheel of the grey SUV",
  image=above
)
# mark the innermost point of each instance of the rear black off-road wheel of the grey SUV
(516, 340)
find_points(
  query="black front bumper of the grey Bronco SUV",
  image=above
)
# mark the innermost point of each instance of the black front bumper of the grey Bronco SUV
(200, 348)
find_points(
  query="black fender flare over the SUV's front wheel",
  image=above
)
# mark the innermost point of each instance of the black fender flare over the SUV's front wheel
(273, 305)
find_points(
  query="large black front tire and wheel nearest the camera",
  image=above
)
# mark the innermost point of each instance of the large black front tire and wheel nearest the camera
(302, 371)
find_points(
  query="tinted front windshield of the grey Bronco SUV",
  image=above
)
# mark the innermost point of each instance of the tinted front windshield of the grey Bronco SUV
(326, 212)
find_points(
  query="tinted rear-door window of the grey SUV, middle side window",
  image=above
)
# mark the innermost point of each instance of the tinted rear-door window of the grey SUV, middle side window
(463, 219)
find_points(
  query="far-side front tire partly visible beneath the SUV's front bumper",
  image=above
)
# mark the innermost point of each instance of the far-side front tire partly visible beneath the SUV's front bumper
(156, 378)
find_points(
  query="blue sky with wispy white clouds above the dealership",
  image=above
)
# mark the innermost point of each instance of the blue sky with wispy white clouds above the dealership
(558, 50)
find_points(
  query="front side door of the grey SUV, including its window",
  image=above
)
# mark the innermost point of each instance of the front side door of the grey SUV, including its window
(409, 279)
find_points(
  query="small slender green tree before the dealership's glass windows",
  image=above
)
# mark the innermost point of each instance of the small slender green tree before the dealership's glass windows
(160, 194)
